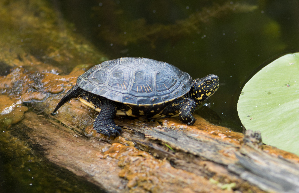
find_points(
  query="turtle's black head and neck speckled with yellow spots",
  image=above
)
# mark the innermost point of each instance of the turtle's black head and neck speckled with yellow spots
(203, 88)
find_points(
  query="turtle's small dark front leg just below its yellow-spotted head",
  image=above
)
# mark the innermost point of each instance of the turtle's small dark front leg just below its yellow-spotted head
(187, 108)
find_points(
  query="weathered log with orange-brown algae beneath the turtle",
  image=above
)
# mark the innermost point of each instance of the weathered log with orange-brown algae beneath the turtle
(163, 155)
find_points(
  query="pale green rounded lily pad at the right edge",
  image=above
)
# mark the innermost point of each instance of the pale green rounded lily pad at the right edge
(269, 102)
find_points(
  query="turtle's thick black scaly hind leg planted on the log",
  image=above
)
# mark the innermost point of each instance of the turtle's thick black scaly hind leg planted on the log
(104, 122)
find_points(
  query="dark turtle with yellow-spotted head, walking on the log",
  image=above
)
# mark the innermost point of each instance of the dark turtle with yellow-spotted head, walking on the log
(139, 87)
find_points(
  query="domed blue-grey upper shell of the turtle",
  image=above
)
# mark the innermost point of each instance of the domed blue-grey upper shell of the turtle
(136, 81)
